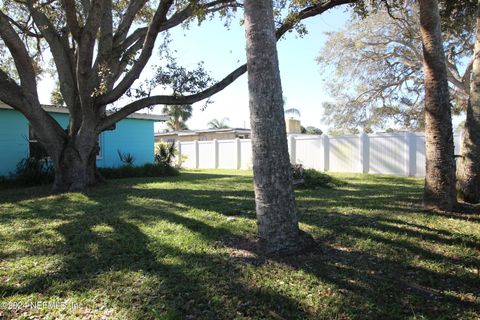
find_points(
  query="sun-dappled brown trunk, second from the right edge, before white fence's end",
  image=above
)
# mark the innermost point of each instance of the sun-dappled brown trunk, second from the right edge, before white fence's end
(439, 190)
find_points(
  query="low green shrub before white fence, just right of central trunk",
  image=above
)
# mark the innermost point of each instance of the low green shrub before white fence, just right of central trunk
(311, 178)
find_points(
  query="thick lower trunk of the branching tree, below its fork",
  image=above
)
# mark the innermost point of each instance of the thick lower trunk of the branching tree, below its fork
(75, 165)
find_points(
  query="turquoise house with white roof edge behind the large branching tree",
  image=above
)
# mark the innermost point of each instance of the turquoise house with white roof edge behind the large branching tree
(132, 135)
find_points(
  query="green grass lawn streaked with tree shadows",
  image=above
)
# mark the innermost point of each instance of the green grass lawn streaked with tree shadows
(169, 249)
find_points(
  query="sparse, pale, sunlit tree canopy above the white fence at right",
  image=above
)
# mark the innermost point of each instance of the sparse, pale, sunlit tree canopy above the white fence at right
(380, 56)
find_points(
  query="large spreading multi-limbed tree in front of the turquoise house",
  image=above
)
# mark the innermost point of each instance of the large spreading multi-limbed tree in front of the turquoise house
(99, 49)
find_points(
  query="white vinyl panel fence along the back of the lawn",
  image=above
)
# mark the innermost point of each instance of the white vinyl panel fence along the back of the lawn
(400, 154)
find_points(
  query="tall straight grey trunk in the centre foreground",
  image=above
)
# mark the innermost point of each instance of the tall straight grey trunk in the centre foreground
(275, 202)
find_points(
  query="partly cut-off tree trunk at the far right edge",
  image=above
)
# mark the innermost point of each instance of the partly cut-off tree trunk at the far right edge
(469, 166)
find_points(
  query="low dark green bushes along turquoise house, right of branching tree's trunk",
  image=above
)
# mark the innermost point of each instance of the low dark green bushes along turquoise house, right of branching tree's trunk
(145, 171)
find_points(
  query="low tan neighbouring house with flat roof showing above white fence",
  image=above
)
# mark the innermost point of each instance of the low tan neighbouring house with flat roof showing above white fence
(203, 135)
